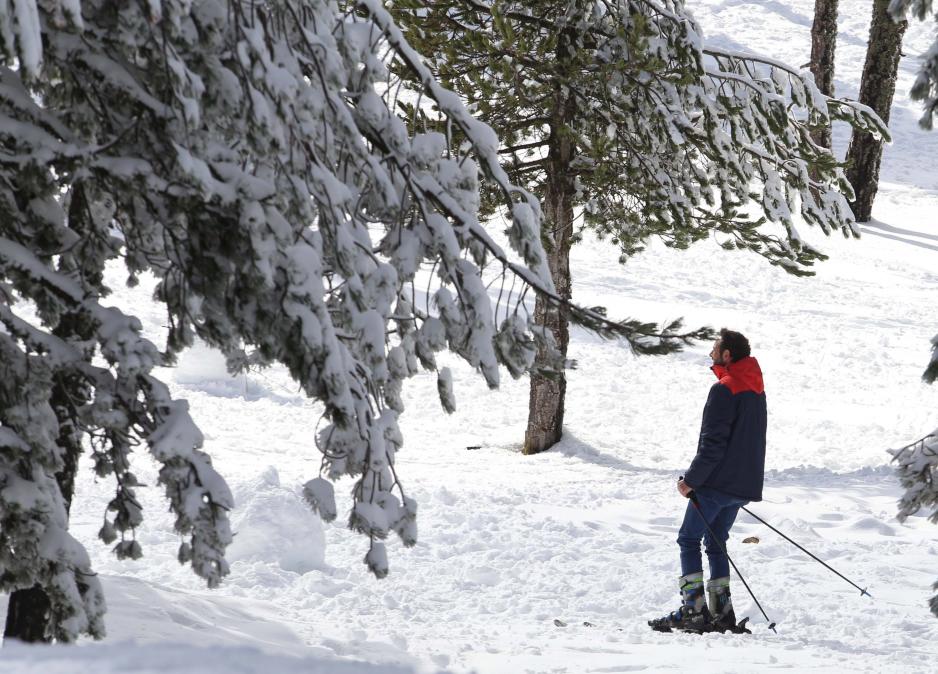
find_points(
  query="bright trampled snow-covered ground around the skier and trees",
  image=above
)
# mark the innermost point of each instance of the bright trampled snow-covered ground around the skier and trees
(586, 531)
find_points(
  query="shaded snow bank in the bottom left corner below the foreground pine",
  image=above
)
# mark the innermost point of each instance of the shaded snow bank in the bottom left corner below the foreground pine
(157, 630)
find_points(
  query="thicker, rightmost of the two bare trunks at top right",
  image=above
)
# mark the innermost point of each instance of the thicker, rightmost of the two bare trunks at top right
(876, 90)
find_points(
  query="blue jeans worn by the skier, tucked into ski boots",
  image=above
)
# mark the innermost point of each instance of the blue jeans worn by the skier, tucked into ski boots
(720, 511)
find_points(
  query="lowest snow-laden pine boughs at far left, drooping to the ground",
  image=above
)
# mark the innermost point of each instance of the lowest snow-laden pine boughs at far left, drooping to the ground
(51, 390)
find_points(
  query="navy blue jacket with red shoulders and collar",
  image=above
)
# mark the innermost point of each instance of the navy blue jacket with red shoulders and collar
(731, 450)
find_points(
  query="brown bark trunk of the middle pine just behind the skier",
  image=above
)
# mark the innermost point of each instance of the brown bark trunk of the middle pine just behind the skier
(546, 402)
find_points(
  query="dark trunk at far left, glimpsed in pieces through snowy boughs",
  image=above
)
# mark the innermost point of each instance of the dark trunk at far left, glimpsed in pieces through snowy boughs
(28, 610)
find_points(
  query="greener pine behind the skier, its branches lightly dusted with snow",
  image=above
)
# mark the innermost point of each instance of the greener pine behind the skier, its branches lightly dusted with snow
(619, 113)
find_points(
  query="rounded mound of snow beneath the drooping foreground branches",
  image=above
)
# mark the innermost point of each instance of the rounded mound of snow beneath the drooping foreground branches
(273, 524)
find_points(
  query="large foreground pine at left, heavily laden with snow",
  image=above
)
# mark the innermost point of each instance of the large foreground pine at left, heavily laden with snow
(248, 156)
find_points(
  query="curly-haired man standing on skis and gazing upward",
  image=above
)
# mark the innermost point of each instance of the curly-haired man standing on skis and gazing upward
(726, 473)
